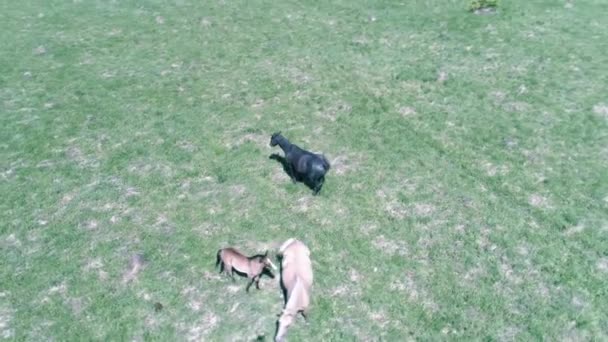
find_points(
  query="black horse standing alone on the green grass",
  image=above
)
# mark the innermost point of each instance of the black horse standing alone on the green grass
(301, 164)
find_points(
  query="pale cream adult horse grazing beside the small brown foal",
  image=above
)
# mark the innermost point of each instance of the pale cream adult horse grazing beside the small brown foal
(296, 279)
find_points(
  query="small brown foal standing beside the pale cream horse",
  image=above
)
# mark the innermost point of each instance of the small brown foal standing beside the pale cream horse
(231, 260)
